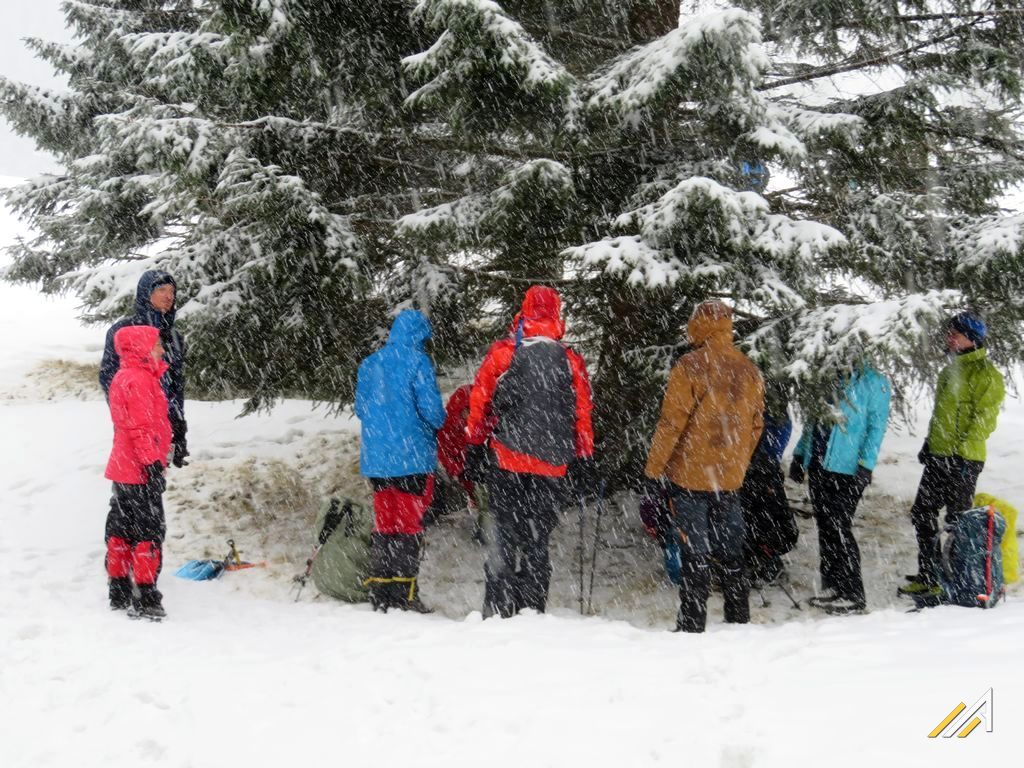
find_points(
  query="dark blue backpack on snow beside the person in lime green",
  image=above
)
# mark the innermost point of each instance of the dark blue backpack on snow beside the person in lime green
(973, 560)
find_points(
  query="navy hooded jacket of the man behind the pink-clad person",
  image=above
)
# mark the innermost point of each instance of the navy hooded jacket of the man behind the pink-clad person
(174, 381)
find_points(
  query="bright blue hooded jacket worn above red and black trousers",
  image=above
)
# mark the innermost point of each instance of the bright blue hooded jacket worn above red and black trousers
(398, 401)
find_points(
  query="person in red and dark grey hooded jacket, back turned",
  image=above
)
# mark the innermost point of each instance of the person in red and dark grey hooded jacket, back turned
(530, 418)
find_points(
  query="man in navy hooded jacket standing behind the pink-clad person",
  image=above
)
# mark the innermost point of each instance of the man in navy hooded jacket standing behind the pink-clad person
(155, 300)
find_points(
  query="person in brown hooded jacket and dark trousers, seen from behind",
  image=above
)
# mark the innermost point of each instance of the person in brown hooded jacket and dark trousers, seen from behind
(712, 418)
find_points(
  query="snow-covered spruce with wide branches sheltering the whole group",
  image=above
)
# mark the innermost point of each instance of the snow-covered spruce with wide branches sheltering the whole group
(308, 167)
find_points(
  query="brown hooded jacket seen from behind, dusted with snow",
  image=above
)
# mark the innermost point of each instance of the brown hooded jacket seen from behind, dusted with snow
(712, 413)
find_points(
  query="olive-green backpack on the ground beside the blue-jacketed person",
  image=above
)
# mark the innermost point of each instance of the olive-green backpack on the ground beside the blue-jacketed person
(344, 562)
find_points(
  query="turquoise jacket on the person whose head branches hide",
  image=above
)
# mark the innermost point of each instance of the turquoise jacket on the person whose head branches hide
(856, 442)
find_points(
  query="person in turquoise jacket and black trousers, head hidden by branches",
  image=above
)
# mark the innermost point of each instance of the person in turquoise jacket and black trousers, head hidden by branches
(839, 461)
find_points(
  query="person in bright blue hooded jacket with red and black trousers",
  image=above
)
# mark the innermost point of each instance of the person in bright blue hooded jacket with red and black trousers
(401, 410)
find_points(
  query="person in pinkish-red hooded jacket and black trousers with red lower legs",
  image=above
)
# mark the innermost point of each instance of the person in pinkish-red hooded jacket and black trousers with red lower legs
(142, 442)
